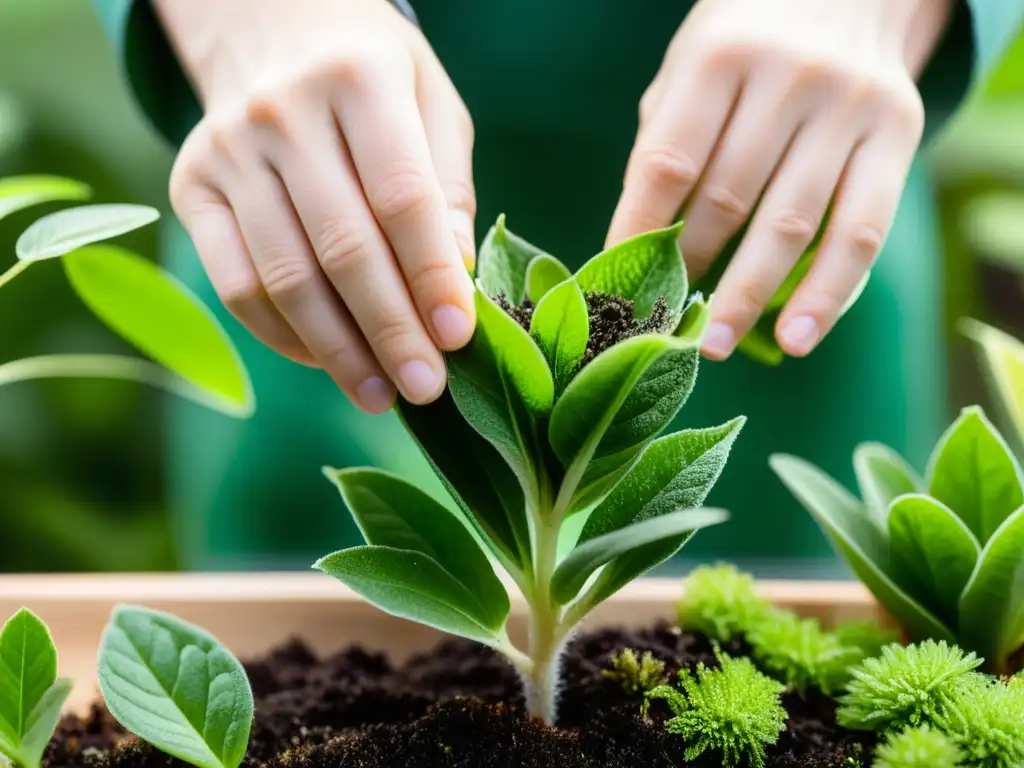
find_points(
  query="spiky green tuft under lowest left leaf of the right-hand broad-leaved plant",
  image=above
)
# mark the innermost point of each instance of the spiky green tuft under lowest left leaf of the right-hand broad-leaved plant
(906, 687)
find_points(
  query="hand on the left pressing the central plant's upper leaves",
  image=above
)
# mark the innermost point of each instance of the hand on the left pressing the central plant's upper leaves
(329, 187)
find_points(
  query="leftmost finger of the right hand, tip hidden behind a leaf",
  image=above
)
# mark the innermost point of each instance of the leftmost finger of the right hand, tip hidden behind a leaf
(672, 149)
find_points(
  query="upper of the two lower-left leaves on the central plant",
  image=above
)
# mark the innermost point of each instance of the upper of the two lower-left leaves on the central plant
(394, 514)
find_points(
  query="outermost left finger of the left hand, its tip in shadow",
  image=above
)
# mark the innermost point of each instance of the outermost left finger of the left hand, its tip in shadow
(211, 225)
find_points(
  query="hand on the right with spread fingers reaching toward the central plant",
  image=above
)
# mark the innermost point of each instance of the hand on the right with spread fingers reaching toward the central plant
(776, 109)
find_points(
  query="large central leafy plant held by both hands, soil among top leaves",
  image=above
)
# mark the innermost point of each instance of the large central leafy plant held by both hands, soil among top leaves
(553, 410)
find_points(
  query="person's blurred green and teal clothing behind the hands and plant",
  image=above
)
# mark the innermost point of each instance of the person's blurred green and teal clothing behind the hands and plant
(553, 90)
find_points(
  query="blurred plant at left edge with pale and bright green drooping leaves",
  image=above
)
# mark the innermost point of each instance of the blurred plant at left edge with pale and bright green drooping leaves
(190, 354)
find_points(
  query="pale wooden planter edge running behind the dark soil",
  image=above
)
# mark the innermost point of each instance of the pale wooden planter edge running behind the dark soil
(252, 613)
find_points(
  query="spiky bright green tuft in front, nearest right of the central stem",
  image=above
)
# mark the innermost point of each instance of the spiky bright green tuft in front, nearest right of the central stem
(735, 710)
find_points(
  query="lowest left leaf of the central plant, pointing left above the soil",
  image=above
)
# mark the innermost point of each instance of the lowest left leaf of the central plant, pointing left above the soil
(414, 586)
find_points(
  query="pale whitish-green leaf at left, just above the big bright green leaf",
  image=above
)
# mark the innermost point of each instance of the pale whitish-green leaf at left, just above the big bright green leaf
(64, 232)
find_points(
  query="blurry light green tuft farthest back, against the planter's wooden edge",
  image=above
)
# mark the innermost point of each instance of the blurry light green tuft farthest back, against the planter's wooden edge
(721, 603)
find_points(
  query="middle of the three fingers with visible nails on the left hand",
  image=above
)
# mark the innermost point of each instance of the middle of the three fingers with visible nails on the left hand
(353, 253)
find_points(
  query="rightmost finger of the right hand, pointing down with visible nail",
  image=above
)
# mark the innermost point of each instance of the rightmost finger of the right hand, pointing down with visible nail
(865, 208)
